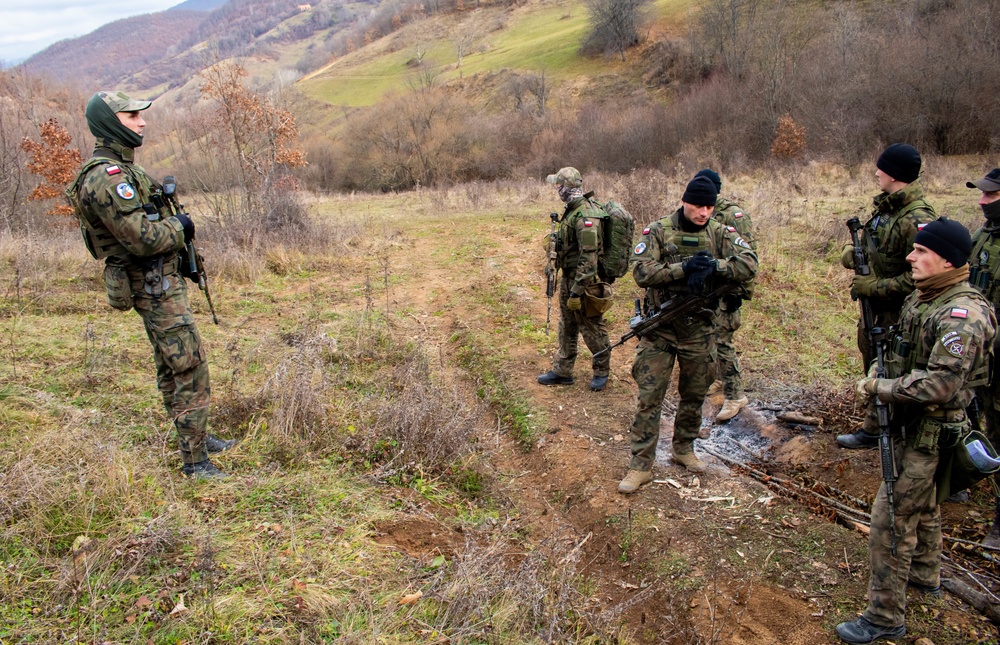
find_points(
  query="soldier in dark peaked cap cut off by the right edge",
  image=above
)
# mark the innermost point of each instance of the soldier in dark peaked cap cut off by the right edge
(985, 275)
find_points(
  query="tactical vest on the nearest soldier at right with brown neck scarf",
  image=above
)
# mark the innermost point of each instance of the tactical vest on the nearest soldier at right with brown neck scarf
(908, 351)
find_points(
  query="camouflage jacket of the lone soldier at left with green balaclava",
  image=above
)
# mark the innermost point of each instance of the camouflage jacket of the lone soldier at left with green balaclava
(113, 200)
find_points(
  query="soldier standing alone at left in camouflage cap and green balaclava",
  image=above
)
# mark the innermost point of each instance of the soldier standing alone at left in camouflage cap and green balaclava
(126, 221)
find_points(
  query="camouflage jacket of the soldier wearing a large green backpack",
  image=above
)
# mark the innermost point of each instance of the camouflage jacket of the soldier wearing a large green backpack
(579, 242)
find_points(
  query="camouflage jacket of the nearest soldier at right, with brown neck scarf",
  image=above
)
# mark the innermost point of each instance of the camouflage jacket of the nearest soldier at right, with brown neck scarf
(940, 350)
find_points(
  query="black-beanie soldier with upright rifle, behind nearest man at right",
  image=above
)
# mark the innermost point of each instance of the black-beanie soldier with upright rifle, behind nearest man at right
(898, 213)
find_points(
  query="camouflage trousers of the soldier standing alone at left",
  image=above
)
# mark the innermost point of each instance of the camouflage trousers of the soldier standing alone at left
(181, 363)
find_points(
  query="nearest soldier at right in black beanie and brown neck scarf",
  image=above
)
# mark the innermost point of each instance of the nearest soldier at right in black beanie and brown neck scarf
(939, 353)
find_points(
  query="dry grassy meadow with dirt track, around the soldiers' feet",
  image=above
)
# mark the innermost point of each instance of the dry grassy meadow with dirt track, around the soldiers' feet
(401, 478)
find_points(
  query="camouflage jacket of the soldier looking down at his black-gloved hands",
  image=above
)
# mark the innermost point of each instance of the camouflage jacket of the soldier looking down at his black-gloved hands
(658, 256)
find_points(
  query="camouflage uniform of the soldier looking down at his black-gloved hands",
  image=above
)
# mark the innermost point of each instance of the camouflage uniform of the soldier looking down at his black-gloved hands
(657, 266)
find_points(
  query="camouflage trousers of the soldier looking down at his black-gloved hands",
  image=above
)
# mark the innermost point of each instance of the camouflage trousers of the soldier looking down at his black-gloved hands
(694, 349)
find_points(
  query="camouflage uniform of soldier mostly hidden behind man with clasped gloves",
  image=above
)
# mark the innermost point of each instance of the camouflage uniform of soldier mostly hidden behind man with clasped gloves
(737, 221)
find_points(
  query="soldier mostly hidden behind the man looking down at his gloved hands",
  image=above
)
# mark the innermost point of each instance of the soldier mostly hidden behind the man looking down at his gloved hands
(738, 221)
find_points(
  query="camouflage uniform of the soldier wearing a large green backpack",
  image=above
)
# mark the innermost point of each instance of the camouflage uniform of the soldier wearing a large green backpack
(579, 242)
